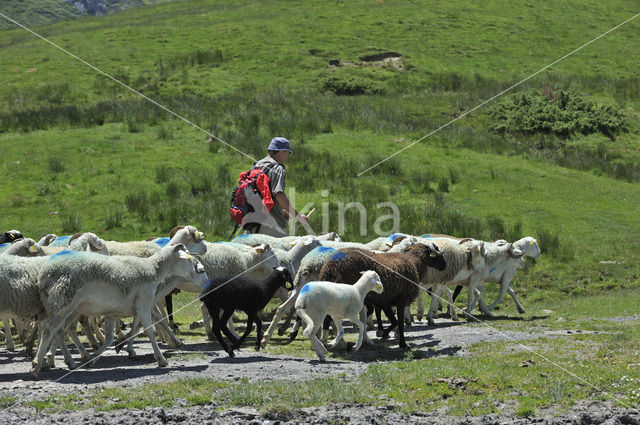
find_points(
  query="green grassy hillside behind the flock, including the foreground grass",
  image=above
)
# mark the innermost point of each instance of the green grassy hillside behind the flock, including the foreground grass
(350, 83)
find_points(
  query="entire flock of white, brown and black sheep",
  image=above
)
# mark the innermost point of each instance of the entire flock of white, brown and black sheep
(51, 286)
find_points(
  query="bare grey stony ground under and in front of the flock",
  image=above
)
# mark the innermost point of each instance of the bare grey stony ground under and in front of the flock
(206, 360)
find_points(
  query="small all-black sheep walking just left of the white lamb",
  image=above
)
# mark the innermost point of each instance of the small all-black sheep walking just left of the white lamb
(226, 294)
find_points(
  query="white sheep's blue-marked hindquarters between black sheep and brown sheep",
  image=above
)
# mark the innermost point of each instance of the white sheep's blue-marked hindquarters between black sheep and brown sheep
(309, 270)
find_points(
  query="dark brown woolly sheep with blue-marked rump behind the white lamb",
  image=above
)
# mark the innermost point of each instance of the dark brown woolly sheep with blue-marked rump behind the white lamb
(400, 273)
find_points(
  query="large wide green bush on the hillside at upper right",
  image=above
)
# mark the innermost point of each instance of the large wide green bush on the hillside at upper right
(564, 114)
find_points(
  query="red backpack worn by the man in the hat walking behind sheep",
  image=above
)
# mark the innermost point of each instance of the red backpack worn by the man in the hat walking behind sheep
(257, 180)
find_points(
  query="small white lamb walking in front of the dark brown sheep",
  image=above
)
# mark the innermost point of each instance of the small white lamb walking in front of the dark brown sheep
(318, 299)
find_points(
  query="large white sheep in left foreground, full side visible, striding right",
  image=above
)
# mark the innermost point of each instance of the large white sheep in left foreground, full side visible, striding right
(95, 285)
